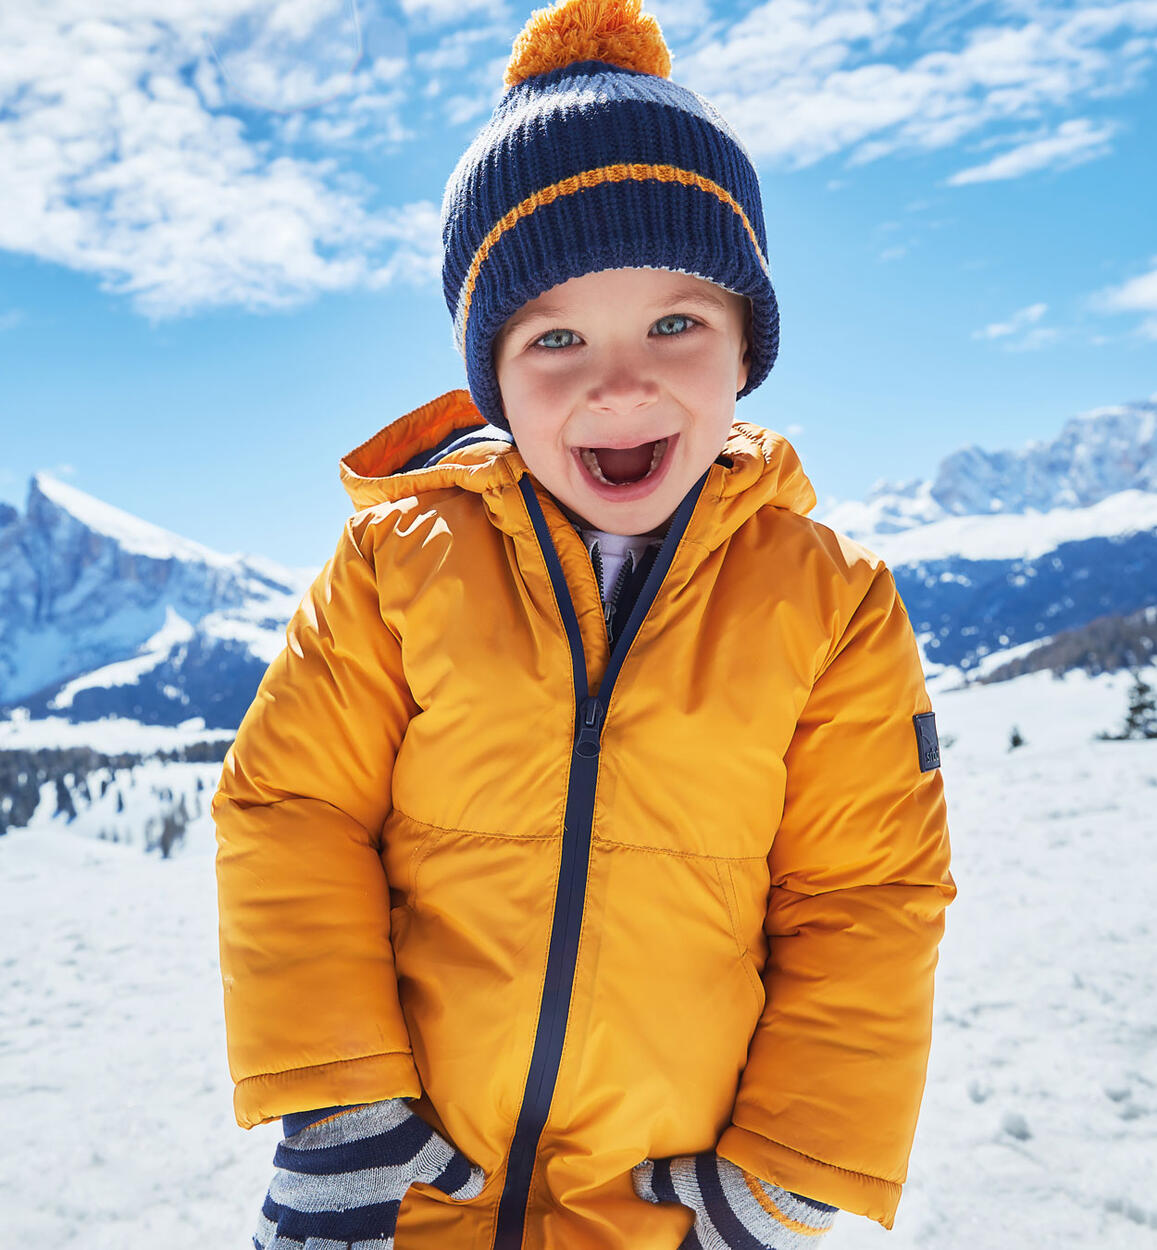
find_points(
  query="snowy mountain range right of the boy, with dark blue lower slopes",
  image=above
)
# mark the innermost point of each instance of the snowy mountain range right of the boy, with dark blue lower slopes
(1001, 551)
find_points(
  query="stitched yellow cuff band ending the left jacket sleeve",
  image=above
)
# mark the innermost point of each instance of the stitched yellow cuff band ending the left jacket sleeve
(370, 1079)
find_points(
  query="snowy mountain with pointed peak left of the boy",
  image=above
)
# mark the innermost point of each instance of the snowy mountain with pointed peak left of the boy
(107, 616)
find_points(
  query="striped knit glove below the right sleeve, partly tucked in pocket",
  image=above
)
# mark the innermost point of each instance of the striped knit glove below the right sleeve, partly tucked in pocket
(733, 1211)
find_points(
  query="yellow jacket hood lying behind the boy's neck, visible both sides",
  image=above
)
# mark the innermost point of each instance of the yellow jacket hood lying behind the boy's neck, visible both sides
(448, 443)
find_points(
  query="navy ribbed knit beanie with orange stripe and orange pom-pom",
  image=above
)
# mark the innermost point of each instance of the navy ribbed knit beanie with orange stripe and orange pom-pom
(594, 159)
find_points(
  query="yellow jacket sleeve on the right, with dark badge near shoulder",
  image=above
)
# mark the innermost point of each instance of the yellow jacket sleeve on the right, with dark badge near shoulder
(835, 1073)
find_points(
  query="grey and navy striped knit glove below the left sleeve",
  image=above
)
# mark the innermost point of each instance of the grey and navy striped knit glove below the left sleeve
(340, 1181)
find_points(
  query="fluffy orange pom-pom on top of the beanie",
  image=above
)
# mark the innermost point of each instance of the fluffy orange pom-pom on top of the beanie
(589, 31)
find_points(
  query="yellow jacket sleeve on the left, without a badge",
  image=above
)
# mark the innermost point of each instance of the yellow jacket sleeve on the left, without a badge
(312, 1006)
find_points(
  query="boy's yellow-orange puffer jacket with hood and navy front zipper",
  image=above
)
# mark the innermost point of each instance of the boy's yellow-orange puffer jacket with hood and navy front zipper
(702, 908)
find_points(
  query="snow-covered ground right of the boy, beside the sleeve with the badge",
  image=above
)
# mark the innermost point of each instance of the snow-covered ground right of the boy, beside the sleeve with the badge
(1040, 1119)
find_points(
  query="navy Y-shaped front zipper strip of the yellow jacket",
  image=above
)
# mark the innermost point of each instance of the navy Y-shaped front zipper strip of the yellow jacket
(573, 871)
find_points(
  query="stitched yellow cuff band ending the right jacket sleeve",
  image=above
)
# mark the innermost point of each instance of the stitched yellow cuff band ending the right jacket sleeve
(858, 1193)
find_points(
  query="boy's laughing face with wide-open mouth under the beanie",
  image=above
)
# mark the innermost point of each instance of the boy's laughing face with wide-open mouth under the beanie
(620, 389)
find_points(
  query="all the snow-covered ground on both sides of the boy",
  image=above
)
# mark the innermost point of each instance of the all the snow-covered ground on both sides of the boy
(1040, 1121)
